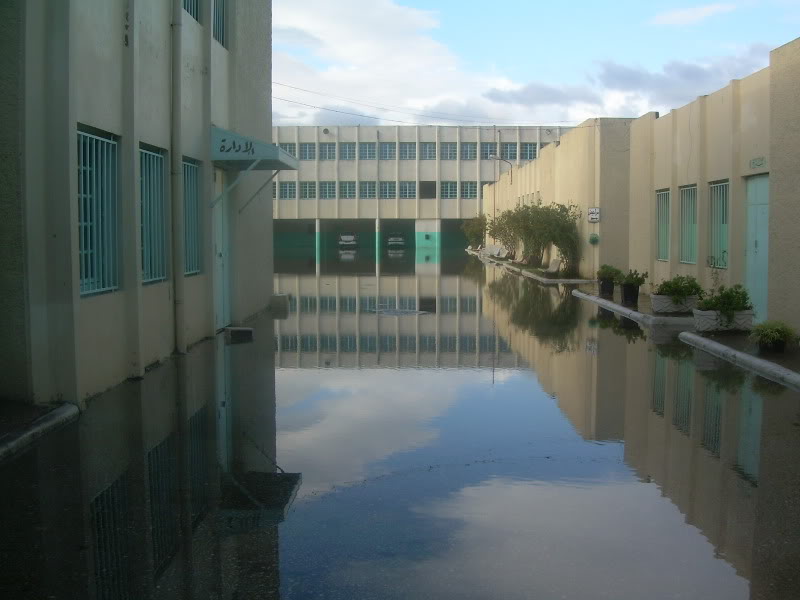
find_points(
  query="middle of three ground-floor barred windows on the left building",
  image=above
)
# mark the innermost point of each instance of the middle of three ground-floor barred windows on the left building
(153, 200)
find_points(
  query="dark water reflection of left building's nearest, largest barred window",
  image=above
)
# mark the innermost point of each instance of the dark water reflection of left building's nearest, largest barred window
(109, 516)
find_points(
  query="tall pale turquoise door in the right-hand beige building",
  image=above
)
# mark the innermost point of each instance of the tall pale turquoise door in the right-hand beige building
(757, 248)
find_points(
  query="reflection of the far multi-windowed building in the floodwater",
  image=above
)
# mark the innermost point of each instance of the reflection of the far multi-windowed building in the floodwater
(388, 321)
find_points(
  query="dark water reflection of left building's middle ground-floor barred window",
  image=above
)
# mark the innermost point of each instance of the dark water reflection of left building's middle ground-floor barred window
(163, 478)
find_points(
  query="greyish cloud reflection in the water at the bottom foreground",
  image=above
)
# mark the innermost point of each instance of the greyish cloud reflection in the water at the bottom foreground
(538, 540)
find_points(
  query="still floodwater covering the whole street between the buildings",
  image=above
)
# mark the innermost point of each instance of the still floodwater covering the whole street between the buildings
(434, 431)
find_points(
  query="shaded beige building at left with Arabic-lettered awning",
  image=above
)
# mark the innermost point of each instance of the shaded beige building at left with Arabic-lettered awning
(129, 234)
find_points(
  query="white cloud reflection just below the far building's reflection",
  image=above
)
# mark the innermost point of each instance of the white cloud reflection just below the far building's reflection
(348, 420)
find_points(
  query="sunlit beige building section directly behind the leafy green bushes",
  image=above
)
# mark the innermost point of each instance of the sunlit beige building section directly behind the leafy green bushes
(587, 168)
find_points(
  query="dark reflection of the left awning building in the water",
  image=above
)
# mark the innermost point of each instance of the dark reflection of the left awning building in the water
(131, 502)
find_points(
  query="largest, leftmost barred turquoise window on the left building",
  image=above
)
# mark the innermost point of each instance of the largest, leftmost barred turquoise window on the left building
(98, 245)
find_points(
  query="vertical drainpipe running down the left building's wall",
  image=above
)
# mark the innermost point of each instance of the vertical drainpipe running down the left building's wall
(176, 181)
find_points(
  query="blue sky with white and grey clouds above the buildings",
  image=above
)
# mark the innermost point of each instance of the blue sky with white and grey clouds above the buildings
(519, 61)
